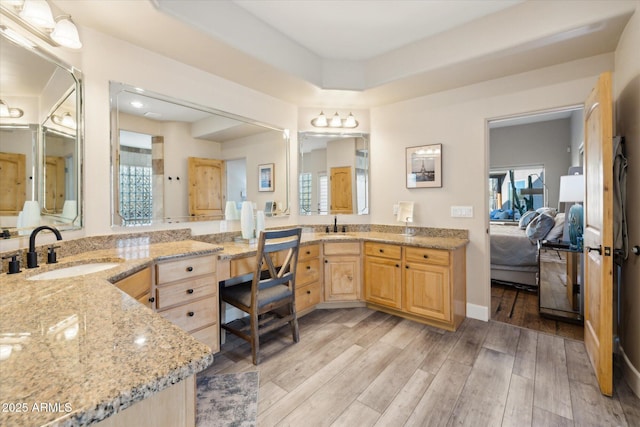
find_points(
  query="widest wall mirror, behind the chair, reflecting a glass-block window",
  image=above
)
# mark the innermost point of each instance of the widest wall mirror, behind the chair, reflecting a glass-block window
(175, 161)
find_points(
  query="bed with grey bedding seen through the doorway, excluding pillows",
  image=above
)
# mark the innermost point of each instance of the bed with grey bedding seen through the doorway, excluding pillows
(514, 258)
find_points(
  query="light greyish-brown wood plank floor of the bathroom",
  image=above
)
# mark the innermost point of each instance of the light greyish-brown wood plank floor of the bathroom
(358, 367)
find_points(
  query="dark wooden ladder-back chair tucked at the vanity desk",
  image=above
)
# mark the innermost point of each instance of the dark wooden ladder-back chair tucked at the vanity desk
(267, 294)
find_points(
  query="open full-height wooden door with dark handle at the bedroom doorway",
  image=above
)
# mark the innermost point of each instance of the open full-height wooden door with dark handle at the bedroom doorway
(598, 232)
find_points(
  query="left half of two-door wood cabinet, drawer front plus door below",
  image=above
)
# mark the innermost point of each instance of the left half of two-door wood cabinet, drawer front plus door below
(383, 274)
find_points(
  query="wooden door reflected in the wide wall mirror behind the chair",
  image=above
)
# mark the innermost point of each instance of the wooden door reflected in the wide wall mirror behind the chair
(206, 187)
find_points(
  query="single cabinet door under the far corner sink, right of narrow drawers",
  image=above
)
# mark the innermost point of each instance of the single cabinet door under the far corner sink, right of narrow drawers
(342, 278)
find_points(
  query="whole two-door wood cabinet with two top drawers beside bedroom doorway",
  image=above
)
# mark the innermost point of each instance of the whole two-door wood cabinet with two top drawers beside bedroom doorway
(426, 285)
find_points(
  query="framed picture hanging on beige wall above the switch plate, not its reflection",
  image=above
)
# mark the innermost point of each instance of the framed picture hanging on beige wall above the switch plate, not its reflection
(424, 166)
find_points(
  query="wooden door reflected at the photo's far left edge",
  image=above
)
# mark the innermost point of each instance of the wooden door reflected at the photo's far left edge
(12, 183)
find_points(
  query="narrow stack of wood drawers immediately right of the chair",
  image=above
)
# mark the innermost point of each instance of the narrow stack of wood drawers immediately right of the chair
(308, 279)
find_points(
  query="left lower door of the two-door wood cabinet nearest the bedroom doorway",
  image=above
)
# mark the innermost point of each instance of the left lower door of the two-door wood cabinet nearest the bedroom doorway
(382, 278)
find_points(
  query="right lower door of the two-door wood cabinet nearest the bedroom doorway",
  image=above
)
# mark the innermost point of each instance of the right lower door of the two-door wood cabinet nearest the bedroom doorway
(428, 291)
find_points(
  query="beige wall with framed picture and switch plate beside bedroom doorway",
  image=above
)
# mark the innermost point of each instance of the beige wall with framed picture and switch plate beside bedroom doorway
(458, 120)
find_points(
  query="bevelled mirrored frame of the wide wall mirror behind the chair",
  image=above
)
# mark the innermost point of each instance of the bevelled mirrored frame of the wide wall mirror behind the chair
(116, 88)
